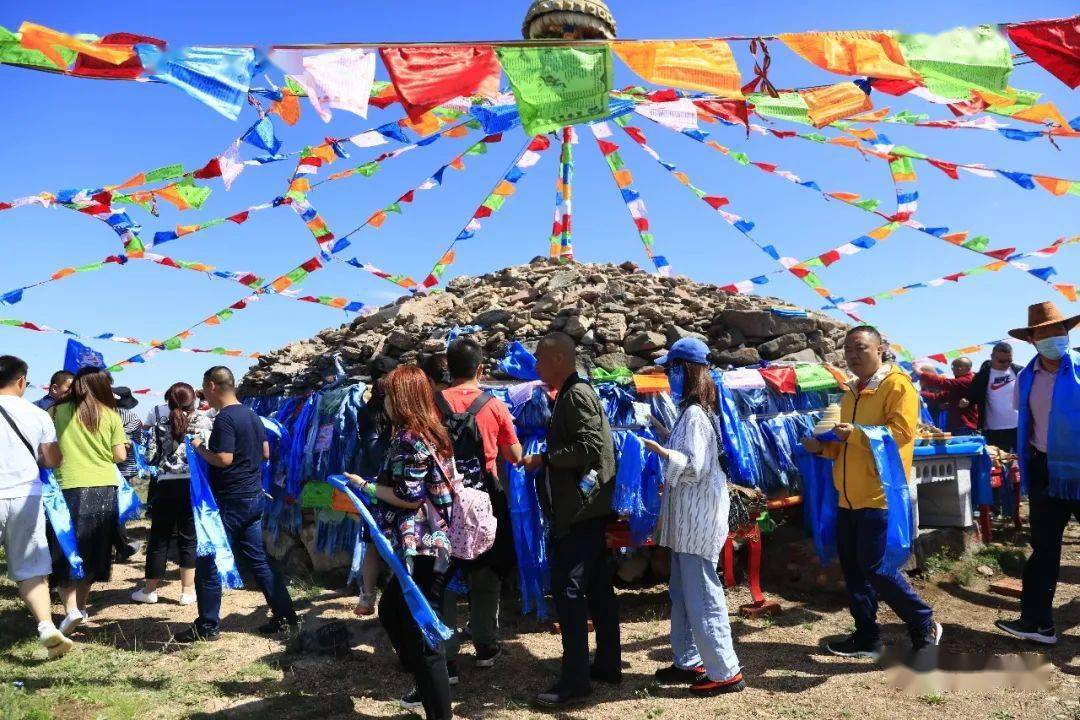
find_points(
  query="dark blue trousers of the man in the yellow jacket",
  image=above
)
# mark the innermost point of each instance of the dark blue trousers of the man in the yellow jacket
(860, 545)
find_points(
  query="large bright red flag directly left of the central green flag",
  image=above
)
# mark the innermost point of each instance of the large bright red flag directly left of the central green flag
(427, 77)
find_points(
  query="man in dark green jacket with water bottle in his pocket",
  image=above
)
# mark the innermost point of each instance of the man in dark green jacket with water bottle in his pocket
(575, 486)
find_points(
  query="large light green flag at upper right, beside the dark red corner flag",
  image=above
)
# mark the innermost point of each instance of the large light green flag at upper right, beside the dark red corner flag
(954, 63)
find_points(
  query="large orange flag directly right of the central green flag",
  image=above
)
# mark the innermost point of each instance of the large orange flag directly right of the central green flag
(706, 65)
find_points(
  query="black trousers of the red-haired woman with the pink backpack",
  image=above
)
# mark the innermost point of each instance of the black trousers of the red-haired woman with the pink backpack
(427, 664)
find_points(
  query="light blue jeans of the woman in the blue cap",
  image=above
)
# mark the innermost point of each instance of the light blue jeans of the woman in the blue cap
(701, 634)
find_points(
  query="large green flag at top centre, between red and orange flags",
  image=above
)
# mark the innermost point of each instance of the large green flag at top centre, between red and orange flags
(558, 87)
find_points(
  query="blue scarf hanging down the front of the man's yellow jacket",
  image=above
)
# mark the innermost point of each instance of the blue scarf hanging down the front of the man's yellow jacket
(900, 522)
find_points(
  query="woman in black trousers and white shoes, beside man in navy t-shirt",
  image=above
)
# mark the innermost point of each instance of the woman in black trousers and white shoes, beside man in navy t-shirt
(171, 510)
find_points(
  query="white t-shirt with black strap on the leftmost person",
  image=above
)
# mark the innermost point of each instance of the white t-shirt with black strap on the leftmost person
(19, 471)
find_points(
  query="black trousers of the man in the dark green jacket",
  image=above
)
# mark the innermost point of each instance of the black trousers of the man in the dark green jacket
(582, 587)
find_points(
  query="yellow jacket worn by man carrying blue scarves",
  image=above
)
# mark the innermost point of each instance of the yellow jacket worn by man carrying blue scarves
(889, 400)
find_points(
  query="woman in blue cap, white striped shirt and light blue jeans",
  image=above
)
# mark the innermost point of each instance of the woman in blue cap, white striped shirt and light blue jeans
(694, 525)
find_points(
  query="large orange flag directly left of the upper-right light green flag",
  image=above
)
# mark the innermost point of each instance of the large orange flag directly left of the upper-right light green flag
(862, 53)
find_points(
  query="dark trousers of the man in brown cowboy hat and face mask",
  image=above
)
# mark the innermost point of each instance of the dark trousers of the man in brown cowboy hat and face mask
(1048, 520)
